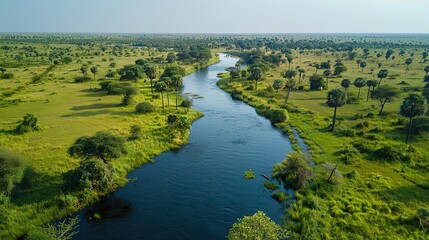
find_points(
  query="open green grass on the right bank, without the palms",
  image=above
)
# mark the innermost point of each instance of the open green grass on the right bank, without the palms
(383, 200)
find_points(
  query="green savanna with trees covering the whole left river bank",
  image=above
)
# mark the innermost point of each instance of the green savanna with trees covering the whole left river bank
(76, 117)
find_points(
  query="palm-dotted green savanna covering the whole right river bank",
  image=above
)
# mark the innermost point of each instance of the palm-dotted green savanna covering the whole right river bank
(361, 110)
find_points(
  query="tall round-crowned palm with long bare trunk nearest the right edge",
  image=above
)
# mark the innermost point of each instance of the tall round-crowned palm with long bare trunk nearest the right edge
(412, 106)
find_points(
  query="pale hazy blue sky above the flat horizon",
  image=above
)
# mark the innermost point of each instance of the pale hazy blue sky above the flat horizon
(215, 16)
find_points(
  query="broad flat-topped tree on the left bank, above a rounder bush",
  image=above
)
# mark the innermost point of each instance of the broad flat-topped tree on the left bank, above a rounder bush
(102, 145)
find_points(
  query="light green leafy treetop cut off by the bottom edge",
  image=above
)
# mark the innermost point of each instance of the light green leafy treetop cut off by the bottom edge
(257, 226)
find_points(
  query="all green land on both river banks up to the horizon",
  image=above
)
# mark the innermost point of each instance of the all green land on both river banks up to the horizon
(79, 112)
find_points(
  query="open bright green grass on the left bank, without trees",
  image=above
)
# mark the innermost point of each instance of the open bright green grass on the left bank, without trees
(66, 111)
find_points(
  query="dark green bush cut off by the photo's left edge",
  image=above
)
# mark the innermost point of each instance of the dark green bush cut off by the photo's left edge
(12, 168)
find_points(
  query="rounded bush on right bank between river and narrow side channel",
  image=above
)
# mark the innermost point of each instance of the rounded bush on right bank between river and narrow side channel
(294, 171)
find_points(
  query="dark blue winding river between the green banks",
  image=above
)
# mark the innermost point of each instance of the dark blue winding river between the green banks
(199, 191)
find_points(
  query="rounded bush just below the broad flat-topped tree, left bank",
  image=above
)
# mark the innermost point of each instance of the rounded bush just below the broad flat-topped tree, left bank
(91, 174)
